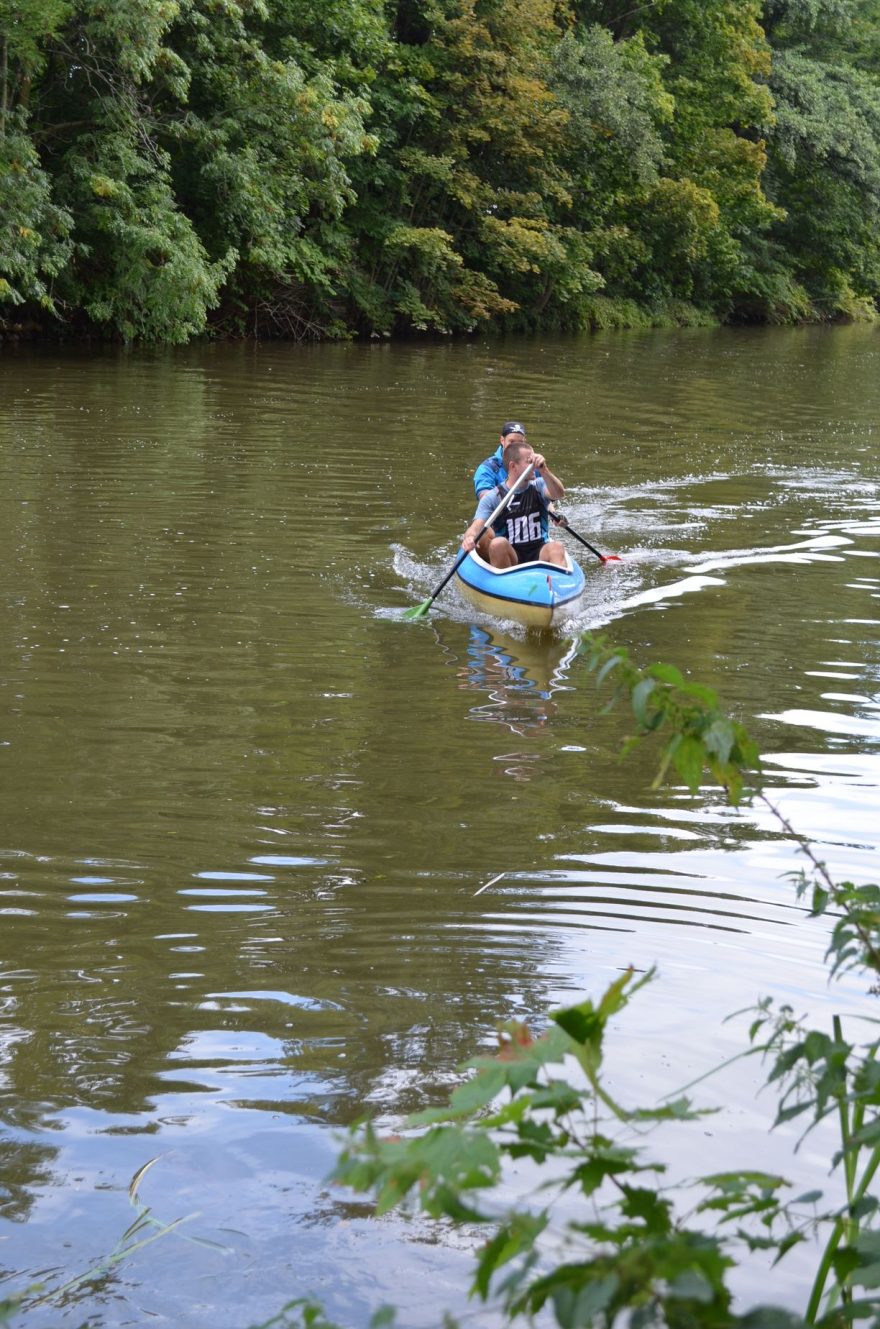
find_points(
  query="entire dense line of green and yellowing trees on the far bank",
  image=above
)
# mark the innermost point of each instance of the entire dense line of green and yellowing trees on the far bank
(333, 167)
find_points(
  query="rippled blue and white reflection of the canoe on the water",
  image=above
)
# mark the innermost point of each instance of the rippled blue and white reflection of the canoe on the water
(518, 680)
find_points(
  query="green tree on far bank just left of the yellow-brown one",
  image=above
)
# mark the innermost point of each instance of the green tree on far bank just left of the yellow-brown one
(261, 156)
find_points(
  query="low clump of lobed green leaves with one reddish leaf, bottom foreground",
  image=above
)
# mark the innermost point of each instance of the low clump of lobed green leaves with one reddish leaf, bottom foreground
(624, 1255)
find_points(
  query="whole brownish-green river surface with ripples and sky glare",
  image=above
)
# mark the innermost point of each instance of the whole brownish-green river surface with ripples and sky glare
(247, 810)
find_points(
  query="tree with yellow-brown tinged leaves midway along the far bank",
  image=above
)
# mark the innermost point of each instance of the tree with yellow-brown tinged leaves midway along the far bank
(457, 224)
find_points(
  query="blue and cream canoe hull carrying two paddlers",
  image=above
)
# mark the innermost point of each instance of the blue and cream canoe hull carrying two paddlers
(536, 595)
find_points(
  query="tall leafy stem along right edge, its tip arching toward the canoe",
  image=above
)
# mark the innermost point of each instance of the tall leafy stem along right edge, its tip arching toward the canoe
(817, 1074)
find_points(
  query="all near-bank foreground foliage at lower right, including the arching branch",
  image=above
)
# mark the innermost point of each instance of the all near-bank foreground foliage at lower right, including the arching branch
(604, 1239)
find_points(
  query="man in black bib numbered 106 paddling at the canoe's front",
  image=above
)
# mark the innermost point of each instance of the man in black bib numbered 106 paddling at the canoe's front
(522, 535)
